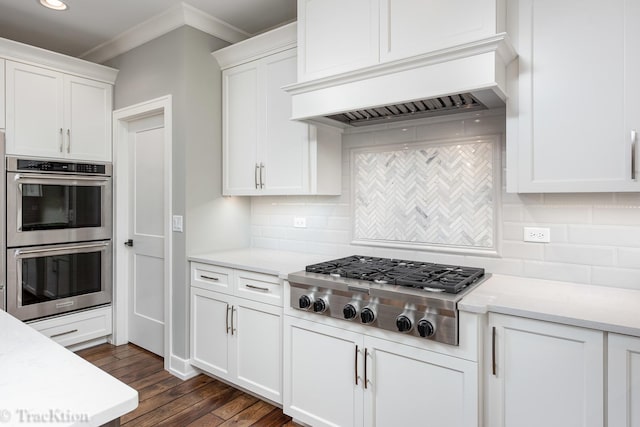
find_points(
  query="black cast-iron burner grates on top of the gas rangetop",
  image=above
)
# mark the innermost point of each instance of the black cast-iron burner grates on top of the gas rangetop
(413, 274)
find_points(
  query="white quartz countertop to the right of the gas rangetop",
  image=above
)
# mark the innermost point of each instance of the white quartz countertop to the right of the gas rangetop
(596, 307)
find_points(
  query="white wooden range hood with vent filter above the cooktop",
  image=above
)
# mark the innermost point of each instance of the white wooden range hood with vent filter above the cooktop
(460, 79)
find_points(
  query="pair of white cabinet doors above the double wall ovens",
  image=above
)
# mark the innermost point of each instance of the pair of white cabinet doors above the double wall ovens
(51, 114)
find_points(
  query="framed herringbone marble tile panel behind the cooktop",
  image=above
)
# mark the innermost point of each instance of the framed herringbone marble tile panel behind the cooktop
(425, 194)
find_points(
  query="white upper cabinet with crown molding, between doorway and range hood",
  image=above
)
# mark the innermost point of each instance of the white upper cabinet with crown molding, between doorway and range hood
(264, 151)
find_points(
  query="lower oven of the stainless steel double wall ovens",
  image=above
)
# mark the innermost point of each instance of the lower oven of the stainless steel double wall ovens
(53, 279)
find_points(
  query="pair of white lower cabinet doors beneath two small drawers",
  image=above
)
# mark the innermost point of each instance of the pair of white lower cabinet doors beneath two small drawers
(238, 340)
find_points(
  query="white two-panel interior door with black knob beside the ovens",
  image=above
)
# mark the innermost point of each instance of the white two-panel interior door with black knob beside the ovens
(147, 233)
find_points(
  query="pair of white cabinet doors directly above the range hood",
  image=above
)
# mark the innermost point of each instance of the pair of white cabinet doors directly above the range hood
(337, 36)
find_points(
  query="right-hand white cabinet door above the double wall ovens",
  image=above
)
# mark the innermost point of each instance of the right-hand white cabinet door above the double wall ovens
(88, 106)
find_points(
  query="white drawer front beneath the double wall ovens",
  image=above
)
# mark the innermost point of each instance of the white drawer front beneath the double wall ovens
(77, 327)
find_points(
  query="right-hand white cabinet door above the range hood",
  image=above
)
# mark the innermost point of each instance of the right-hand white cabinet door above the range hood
(413, 27)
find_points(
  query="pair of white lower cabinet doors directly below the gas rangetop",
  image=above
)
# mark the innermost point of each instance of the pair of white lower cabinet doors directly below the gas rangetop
(337, 377)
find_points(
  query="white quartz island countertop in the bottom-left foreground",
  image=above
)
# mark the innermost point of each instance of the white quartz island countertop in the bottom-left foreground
(44, 384)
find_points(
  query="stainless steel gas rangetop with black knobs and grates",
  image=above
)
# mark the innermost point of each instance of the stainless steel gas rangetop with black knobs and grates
(410, 297)
